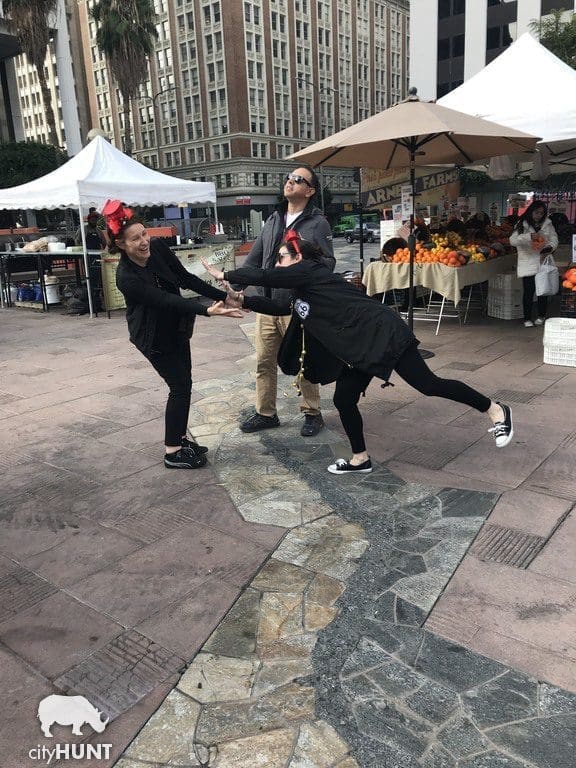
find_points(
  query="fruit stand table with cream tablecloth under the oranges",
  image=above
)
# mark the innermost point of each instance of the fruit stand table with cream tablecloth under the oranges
(448, 282)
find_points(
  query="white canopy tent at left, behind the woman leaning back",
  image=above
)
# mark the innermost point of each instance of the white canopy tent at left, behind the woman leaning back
(100, 172)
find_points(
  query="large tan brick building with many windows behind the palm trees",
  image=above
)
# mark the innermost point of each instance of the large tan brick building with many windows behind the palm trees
(236, 86)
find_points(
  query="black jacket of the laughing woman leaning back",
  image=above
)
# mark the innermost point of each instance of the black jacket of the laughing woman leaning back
(146, 301)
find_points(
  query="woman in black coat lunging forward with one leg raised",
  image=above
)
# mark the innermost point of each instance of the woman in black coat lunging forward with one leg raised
(337, 333)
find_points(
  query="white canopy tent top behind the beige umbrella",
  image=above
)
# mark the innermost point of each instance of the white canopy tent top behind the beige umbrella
(528, 88)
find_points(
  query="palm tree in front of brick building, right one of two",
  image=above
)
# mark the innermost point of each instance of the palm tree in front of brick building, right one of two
(125, 35)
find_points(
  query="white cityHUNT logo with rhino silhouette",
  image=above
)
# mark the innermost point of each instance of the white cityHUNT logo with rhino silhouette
(77, 712)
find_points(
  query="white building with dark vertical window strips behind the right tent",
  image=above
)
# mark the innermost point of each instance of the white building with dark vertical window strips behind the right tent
(452, 40)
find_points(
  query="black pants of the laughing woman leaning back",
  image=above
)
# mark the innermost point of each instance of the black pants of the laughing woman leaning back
(175, 367)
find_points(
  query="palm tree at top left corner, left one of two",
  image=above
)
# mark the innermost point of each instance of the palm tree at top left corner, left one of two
(30, 21)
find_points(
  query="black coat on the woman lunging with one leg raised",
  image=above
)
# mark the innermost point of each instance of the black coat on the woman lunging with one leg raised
(348, 327)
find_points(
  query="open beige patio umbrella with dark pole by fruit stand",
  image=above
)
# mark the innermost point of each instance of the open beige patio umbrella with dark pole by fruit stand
(415, 133)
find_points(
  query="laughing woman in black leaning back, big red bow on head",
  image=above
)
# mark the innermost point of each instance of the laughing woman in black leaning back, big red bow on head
(161, 321)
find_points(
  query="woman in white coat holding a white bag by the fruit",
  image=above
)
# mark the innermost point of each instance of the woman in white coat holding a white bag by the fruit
(533, 237)
